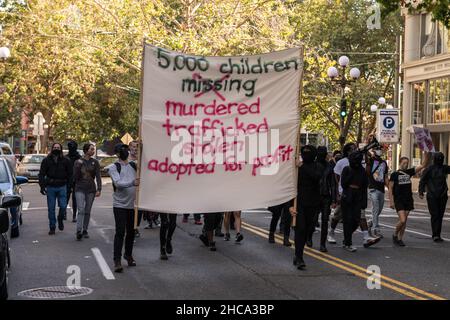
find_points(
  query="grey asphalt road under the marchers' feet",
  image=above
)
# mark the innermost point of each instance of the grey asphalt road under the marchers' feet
(254, 269)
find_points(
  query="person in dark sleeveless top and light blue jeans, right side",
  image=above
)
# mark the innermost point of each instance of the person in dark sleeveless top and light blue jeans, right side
(377, 171)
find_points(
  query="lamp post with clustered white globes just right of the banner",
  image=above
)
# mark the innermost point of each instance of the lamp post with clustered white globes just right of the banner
(343, 82)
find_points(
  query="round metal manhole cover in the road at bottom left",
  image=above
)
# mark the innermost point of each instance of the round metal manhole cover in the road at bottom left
(55, 292)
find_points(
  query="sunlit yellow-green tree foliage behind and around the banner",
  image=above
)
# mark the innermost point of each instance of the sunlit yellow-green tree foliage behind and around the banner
(80, 66)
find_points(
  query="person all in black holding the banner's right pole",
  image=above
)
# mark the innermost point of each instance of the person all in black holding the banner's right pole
(308, 201)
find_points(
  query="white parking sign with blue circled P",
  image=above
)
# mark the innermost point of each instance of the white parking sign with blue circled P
(388, 128)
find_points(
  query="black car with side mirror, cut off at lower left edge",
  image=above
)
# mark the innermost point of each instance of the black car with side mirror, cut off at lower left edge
(5, 261)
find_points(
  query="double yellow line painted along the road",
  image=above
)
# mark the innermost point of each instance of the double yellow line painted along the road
(353, 268)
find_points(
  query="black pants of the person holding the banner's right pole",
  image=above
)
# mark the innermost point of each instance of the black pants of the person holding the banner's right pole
(304, 224)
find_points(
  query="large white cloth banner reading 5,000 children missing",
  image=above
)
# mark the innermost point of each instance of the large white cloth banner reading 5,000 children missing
(219, 133)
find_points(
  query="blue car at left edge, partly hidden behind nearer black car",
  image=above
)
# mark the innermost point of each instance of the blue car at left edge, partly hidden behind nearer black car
(10, 186)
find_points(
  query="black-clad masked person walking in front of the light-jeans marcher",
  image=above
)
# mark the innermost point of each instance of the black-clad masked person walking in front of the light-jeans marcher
(354, 183)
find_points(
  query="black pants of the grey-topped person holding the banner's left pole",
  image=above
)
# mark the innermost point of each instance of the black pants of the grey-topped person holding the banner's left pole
(124, 219)
